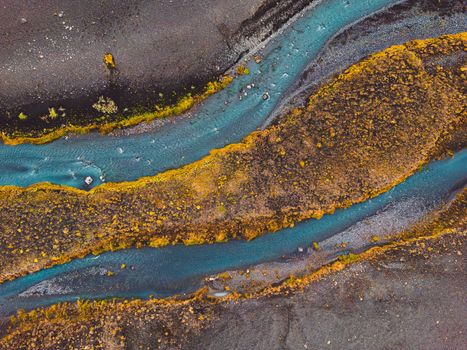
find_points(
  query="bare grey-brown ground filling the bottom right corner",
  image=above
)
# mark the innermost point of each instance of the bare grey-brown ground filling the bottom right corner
(405, 300)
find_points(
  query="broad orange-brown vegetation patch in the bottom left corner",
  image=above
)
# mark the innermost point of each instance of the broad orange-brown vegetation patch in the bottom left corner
(104, 324)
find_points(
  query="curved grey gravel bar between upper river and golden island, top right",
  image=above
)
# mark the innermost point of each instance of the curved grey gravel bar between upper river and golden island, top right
(409, 20)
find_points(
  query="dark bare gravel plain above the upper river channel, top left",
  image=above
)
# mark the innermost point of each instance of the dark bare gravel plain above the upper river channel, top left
(51, 52)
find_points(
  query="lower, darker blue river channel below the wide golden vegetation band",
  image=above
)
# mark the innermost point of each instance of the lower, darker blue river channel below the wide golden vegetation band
(179, 269)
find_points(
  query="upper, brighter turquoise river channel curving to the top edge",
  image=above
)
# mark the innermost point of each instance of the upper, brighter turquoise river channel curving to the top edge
(224, 118)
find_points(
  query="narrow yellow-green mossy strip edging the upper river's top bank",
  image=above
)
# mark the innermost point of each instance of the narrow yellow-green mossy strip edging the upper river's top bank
(184, 104)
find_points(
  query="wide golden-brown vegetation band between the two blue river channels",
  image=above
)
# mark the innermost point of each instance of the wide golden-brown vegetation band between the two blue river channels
(367, 130)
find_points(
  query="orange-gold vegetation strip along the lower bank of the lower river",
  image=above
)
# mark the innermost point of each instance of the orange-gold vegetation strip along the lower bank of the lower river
(170, 322)
